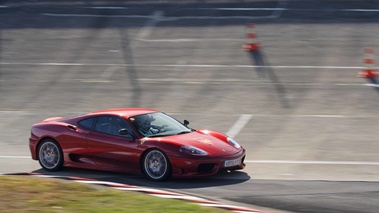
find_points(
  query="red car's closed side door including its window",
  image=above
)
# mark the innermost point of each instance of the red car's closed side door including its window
(110, 150)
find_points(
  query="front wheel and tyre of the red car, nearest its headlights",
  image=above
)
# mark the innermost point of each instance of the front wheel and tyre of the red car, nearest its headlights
(156, 166)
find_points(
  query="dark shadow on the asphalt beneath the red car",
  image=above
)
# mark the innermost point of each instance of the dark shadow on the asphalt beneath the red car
(220, 179)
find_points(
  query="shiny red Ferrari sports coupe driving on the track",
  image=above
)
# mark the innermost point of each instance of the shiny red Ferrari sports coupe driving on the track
(133, 140)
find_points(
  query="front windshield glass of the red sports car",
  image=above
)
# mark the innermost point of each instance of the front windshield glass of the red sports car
(158, 124)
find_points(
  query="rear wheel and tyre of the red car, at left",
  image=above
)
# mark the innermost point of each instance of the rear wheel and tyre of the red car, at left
(50, 155)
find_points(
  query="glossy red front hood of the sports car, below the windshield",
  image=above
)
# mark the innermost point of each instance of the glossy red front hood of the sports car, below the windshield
(212, 145)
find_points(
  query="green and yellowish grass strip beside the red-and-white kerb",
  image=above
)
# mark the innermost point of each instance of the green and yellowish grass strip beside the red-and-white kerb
(32, 194)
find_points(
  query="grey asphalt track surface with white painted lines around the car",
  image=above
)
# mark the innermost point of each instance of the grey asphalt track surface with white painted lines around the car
(309, 125)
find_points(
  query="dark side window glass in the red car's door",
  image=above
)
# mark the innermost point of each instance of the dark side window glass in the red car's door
(111, 125)
